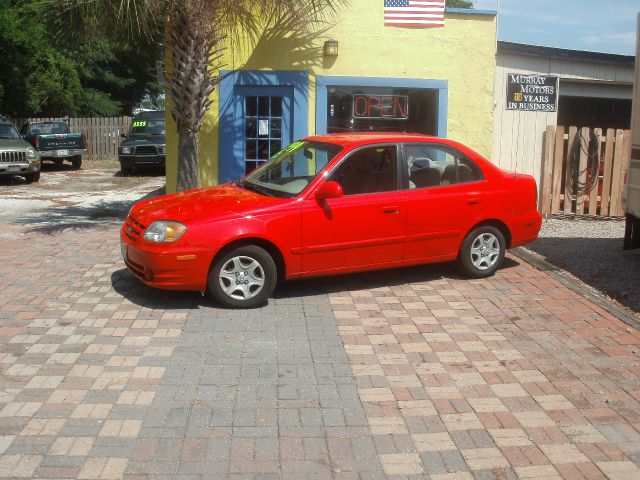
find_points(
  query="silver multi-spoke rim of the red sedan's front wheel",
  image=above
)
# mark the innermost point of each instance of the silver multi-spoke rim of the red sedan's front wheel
(241, 278)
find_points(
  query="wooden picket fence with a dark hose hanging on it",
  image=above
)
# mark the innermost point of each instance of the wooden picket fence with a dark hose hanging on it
(571, 183)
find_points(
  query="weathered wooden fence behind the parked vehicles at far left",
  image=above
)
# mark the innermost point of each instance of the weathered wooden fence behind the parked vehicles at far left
(102, 133)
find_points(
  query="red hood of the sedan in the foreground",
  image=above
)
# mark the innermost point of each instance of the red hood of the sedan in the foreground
(206, 204)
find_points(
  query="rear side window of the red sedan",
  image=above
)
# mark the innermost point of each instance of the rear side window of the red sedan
(435, 166)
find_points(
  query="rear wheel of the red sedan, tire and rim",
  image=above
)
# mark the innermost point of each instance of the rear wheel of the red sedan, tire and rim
(482, 252)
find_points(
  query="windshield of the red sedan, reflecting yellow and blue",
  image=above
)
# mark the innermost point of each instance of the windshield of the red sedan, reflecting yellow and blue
(291, 170)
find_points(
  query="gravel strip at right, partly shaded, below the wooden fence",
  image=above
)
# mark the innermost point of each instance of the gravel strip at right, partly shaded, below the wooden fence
(591, 250)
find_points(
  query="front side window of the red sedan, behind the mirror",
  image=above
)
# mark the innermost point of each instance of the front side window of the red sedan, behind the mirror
(369, 170)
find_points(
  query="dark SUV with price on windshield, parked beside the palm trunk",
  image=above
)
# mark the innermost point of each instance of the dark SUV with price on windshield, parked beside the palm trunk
(145, 144)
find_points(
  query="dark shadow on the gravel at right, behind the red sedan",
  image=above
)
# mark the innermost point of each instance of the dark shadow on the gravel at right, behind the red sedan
(598, 262)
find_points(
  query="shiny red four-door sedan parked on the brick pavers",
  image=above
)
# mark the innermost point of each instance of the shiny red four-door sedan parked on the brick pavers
(333, 204)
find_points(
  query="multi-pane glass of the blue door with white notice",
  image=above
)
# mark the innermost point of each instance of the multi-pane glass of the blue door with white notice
(263, 129)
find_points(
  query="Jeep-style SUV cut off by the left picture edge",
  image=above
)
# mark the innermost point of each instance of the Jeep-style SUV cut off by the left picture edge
(17, 157)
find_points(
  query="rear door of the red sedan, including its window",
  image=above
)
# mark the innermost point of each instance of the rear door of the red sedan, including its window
(444, 198)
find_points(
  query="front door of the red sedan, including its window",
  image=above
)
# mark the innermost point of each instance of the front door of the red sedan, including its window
(367, 225)
